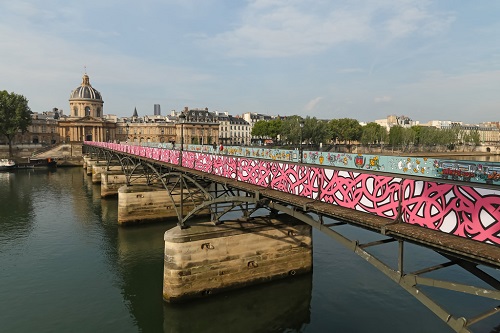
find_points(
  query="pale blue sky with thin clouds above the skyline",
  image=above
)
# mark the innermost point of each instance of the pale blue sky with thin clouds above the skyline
(361, 59)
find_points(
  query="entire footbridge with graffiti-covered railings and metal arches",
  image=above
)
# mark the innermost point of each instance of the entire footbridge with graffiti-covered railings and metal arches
(452, 208)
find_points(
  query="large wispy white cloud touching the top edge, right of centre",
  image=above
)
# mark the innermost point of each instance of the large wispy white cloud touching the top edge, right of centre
(277, 28)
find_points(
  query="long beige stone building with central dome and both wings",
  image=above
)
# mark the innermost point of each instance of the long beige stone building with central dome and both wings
(88, 122)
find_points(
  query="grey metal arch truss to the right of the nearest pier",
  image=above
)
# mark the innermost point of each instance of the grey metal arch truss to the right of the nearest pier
(412, 282)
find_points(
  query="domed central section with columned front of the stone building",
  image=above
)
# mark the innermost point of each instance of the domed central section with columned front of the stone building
(86, 121)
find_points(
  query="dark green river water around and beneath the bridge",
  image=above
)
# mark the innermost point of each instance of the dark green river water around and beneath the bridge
(66, 266)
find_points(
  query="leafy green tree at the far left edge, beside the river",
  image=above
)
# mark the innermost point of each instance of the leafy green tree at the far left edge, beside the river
(15, 116)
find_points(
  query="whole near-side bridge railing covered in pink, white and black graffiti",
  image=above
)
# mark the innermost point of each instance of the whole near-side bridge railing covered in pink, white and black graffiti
(461, 210)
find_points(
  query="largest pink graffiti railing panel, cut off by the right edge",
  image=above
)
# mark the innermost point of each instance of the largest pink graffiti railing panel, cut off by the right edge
(464, 211)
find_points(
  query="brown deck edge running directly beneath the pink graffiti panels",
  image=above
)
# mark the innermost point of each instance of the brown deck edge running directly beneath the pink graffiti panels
(474, 251)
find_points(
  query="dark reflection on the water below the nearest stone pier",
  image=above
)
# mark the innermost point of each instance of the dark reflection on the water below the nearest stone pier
(279, 306)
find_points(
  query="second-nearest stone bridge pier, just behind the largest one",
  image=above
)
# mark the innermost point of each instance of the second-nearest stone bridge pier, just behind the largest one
(143, 203)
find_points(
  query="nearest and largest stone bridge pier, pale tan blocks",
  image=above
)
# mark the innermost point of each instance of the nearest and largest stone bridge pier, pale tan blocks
(206, 259)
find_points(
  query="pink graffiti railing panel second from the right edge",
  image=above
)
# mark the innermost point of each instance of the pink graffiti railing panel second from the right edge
(360, 191)
